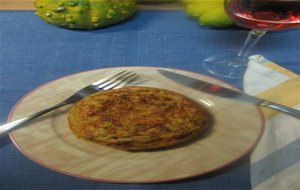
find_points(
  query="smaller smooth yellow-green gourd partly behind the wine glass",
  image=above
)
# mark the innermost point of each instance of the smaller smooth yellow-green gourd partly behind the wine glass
(209, 13)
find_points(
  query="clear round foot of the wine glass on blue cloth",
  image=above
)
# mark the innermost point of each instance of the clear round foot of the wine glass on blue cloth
(226, 65)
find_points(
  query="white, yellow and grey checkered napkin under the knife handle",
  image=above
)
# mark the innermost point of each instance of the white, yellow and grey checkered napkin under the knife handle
(275, 162)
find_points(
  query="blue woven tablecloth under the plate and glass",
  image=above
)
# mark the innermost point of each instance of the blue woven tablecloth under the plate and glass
(33, 53)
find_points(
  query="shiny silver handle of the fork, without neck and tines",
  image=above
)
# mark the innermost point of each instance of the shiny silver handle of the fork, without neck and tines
(11, 126)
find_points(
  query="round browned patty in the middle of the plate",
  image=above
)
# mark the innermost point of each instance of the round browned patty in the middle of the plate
(137, 118)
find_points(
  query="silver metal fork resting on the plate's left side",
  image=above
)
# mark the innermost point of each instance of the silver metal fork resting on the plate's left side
(117, 80)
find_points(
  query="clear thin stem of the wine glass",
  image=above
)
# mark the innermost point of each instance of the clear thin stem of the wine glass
(251, 41)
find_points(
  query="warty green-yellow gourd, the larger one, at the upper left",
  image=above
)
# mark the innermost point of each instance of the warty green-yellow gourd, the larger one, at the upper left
(84, 14)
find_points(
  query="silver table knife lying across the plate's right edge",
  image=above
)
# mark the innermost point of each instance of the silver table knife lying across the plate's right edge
(226, 92)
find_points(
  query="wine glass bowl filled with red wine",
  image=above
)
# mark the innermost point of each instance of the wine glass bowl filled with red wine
(264, 14)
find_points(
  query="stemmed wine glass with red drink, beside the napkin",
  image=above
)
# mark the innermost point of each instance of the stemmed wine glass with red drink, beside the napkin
(260, 16)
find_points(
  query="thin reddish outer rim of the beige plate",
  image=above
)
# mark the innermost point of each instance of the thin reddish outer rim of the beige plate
(202, 173)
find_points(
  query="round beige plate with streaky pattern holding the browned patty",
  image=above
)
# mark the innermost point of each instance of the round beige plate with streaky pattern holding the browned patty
(48, 141)
